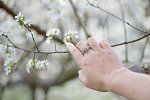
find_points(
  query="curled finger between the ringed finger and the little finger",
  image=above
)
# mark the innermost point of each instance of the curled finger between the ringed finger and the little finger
(93, 44)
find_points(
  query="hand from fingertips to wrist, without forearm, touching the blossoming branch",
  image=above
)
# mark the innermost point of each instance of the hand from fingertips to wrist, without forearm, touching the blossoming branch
(97, 65)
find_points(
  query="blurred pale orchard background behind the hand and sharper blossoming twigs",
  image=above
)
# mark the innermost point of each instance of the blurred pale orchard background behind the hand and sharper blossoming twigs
(60, 80)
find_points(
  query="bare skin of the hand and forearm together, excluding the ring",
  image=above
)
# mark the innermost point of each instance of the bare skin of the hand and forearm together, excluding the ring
(101, 70)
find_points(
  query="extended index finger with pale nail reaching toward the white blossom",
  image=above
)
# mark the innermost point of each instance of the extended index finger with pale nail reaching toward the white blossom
(77, 55)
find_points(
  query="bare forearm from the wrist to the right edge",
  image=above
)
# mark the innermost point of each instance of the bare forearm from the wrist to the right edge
(134, 86)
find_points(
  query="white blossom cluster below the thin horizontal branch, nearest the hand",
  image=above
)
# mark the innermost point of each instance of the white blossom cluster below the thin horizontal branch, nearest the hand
(37, 64)
